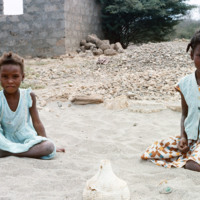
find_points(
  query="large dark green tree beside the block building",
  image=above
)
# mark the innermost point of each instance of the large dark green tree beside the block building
(141, 20)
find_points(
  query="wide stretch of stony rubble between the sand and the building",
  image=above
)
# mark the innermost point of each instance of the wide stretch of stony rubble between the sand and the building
(143, 72)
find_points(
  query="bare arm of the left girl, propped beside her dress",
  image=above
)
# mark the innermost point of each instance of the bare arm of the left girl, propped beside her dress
(37, 124)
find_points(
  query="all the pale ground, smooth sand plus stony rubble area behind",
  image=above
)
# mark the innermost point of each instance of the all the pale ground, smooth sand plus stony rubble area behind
(93, 132)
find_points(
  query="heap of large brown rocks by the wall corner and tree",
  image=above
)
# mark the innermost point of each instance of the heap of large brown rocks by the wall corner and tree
(99, 47)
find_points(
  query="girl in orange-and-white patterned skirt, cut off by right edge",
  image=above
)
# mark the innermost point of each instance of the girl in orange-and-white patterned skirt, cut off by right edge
(183, 150)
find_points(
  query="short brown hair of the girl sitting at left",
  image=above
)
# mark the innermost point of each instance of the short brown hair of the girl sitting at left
(12, 58)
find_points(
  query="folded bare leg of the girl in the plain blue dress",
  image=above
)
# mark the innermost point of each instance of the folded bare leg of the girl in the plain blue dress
(37, 151)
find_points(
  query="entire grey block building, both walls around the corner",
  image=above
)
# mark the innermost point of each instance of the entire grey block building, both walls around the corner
(48, 27)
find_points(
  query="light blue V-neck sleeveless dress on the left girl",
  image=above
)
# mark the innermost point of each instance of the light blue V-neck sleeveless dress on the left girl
(17, 133)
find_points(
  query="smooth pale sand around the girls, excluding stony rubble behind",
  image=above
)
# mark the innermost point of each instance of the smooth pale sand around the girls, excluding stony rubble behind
(91, 133)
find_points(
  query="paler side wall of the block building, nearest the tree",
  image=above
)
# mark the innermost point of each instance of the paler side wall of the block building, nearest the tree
(82, 17)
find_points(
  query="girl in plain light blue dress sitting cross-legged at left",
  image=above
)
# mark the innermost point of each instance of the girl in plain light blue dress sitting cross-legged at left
(22, 133)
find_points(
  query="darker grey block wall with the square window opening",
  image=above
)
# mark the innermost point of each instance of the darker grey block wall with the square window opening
(35, 33)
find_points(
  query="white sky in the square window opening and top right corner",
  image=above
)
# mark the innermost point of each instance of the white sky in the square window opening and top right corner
(15, 7)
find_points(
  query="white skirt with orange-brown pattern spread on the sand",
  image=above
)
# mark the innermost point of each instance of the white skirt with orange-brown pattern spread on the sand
(165, 153)
